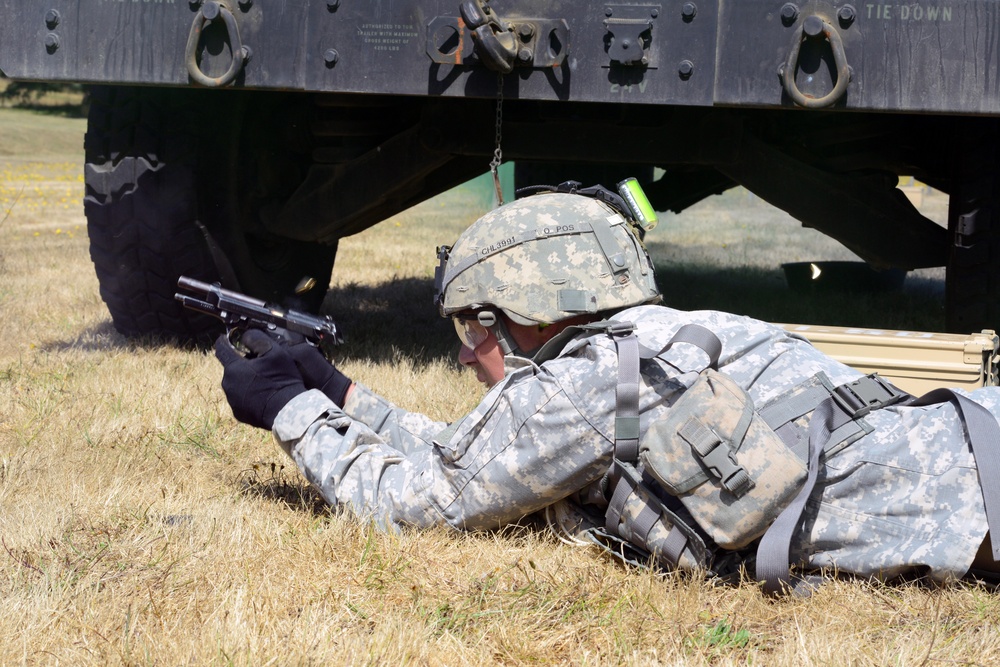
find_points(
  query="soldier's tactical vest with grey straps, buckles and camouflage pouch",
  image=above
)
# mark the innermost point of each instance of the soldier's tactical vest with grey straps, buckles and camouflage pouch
(720, 483)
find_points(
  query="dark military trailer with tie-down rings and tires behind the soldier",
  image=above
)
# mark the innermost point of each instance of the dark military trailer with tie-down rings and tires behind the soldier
(239, 140)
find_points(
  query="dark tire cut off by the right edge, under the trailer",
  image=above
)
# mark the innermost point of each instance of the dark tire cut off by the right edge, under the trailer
(972, 285)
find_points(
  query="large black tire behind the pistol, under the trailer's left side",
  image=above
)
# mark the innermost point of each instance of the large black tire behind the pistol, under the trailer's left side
(163, 166)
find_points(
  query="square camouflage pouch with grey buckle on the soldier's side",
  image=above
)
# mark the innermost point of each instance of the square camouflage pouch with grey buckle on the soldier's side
(725, 464)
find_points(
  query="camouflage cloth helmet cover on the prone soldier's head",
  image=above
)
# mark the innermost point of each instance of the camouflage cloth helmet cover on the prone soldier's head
(546, 258)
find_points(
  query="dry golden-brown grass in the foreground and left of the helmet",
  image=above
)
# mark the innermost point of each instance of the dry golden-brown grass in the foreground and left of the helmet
(139, 524)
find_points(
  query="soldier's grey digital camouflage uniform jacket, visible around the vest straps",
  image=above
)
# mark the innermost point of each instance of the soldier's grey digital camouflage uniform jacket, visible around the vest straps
(903, 498)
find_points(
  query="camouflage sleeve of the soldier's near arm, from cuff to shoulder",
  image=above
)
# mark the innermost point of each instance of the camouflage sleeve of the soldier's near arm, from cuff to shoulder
(524, 447)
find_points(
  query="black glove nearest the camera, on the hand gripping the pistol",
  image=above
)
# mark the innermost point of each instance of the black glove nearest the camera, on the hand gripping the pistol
(259, 385)
